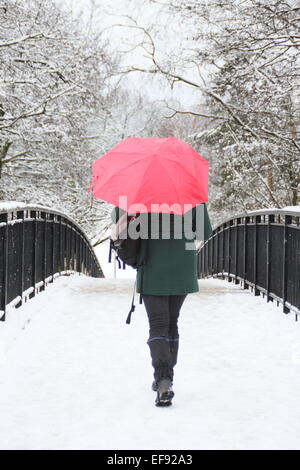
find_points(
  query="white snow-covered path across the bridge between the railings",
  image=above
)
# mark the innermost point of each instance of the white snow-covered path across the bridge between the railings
(73, 375)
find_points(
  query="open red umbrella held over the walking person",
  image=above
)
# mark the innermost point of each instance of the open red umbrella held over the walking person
(147, 171)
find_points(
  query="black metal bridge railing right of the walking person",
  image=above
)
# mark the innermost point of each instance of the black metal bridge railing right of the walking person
(260, 249)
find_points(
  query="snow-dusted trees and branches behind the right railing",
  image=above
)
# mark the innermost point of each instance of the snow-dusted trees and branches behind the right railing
(243, 58)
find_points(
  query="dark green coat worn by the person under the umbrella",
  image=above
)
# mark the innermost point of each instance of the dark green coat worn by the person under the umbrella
(170, 268)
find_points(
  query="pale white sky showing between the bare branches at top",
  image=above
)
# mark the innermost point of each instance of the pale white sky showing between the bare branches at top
(167, 33)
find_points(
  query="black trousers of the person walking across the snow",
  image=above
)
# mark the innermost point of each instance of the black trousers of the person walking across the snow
(163, 313)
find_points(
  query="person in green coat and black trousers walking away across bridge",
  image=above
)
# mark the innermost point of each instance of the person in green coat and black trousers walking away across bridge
(168, 276)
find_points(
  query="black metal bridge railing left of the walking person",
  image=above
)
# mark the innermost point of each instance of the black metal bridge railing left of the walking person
(36, 245)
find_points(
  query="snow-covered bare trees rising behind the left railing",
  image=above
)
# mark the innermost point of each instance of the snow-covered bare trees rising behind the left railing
(54, 106)
